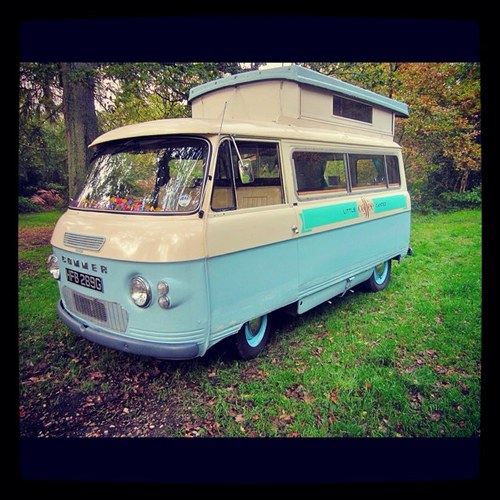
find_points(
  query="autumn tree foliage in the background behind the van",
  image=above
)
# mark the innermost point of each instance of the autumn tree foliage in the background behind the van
(441, 139)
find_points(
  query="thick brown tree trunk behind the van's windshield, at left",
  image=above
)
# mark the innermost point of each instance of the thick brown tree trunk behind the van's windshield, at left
(80, 120)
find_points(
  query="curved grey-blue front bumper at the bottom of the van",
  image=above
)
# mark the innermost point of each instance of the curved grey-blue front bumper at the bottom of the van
(158, 350)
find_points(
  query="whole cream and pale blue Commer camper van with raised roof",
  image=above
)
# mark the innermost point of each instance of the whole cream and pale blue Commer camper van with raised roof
(284, 189)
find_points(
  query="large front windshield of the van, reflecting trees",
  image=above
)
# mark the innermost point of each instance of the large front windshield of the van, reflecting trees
(146, 175)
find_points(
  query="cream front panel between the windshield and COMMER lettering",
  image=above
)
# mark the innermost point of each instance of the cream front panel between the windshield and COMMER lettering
(134, 237)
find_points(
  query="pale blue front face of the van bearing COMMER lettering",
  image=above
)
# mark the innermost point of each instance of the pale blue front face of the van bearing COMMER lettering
(186, 321)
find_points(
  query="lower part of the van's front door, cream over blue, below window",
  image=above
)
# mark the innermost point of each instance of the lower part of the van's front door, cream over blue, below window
(251, 266)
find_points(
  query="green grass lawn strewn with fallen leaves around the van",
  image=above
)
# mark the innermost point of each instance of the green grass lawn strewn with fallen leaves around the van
(402, 362)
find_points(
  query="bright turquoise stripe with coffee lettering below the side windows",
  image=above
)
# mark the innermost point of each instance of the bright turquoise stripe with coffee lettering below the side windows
(322, 216)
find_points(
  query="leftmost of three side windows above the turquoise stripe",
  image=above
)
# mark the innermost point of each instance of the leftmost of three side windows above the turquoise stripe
(319, 172)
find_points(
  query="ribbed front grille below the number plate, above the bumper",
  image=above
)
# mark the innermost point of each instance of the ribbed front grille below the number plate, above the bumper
(108, 314)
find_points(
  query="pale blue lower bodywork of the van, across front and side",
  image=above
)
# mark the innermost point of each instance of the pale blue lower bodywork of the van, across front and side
(212, 298)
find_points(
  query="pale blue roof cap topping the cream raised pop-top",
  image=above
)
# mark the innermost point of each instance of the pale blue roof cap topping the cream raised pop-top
(303, 75)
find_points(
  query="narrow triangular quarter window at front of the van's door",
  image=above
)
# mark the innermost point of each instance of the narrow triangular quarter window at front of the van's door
(223, 197)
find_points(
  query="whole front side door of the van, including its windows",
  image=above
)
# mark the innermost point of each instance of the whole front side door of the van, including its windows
(251, 236)
